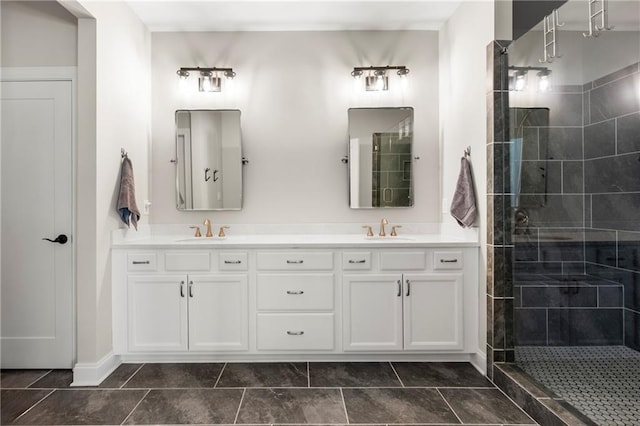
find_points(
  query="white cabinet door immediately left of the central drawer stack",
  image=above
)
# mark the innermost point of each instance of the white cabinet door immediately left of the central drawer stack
(218, 313)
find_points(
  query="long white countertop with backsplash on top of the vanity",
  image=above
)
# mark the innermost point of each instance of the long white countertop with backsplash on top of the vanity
(299, 236)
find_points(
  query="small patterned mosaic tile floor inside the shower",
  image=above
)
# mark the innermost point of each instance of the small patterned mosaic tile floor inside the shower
(602, 382)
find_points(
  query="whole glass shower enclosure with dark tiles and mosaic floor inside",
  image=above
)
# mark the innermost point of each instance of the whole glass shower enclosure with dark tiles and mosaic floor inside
(574, 169)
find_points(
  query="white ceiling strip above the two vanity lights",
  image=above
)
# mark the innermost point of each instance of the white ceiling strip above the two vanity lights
(292, 15)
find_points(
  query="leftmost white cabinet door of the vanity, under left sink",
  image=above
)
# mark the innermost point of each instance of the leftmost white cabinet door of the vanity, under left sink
(157, 313)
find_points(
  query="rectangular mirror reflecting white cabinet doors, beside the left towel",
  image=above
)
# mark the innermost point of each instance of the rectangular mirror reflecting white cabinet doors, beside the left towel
(208, 160)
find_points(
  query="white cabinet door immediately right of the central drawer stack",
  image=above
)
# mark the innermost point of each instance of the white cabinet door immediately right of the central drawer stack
(372, 311)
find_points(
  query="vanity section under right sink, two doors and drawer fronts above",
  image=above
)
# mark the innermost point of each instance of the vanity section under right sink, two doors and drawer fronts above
(402, 301)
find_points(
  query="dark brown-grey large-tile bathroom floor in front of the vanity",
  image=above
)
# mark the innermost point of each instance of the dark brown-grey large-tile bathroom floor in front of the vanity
(377, 393)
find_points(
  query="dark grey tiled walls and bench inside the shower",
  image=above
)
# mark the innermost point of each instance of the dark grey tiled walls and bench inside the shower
(579, 184)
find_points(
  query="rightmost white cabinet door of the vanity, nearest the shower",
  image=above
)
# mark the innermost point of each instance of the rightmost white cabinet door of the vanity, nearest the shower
(433, 311)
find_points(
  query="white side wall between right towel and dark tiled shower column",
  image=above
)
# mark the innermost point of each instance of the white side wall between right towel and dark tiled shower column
(463, 97)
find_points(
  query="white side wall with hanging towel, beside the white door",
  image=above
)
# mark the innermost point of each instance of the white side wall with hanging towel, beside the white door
(122, 116)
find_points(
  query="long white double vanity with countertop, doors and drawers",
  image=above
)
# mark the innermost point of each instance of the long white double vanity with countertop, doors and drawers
(318, 293)
